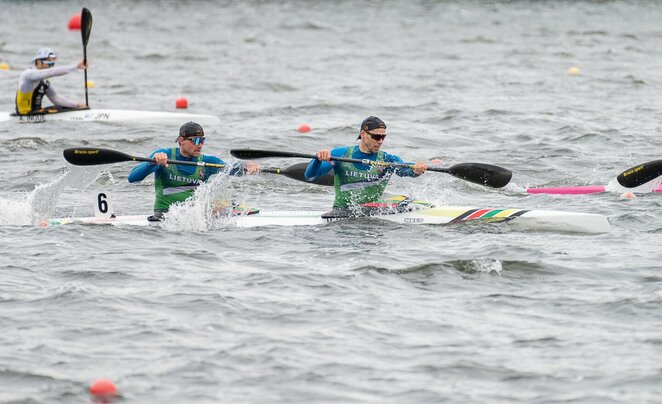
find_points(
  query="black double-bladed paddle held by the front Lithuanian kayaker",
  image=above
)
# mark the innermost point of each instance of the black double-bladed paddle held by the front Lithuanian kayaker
(478, 173)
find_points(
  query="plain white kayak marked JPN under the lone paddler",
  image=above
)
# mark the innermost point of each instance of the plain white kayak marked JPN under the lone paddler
(112, 115)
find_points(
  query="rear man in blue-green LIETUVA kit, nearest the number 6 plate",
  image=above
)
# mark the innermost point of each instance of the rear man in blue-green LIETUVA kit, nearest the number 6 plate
(176, 183)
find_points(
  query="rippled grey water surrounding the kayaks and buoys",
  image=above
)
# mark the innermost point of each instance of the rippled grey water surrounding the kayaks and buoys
(353, 311)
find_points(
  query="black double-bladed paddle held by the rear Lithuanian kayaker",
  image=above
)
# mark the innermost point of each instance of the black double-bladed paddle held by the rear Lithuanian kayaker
(92, 156)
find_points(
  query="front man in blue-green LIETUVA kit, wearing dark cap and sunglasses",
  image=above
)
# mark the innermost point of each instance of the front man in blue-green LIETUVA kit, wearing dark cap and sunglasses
(355, 183)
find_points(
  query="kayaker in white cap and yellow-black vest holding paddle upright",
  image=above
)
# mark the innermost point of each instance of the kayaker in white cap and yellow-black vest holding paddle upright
(33, 85)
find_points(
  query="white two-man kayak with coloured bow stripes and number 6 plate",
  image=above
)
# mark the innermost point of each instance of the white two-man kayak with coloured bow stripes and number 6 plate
(519, 219)
